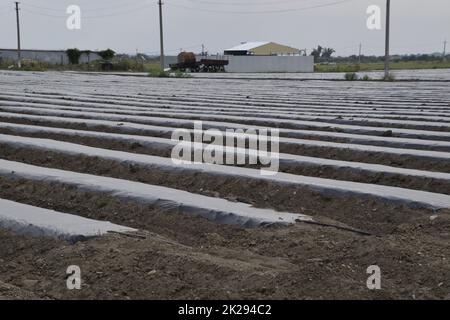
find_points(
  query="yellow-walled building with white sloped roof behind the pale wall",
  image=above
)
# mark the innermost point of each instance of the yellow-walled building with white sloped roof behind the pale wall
(261, 49)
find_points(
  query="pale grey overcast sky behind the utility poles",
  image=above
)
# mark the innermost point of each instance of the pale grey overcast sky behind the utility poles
(130, 25)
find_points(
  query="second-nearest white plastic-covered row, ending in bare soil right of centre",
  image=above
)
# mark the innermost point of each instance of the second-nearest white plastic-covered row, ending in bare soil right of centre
(218, 210)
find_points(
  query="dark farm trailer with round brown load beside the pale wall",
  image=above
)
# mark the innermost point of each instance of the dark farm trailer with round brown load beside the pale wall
(188, 61)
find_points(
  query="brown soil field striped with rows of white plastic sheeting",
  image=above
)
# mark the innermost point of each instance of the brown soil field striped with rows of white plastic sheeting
(364, 179)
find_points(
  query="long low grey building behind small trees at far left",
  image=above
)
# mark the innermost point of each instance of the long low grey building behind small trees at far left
(47, 56)
